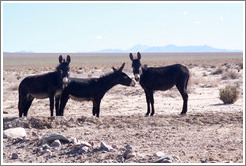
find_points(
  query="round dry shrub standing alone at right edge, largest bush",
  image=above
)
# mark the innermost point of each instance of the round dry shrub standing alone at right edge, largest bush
(229, 94)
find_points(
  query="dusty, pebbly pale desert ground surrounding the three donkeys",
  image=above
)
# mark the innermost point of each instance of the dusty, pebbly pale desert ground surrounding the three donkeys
(210, 132)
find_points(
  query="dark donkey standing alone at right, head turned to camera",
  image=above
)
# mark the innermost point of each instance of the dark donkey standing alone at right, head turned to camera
(160, 78)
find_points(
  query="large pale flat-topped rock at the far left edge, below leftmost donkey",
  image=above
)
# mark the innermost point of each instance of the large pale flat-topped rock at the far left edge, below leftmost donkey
(18, 132)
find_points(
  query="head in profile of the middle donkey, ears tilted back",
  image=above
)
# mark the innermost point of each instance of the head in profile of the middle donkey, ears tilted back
(123, 78)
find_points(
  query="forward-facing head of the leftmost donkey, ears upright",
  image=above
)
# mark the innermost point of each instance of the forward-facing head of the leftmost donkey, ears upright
(63, 69)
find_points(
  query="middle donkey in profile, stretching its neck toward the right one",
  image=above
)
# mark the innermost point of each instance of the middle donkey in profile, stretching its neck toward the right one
(93, 89)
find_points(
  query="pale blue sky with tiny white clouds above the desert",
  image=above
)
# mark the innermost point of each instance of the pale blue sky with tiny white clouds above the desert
(82, 27)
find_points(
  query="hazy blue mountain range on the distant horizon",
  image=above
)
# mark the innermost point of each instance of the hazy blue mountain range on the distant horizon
(168, 48)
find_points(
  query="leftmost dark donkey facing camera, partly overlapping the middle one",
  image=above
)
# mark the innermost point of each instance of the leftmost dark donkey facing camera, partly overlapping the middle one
(49, 85)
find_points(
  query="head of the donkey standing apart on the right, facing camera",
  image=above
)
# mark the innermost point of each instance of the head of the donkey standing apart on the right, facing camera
(136, 66)
